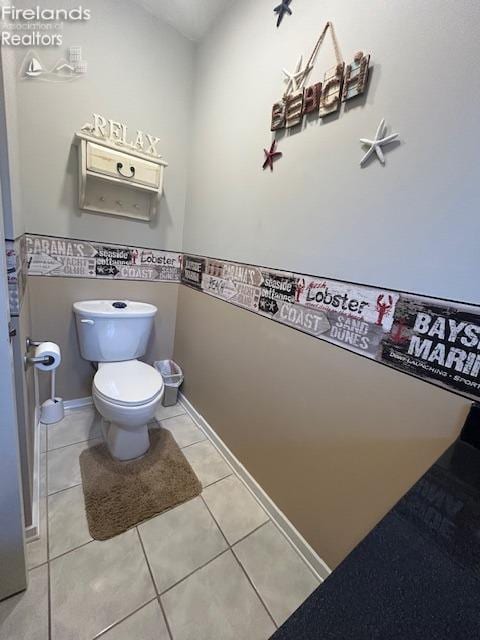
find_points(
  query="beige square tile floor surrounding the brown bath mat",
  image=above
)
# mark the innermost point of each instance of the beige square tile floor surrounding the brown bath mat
(214, 568)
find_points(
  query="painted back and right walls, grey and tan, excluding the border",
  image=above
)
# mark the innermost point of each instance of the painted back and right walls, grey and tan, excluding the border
(333, 438)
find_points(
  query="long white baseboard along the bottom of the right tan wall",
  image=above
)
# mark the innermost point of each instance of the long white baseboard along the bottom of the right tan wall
(316, 564)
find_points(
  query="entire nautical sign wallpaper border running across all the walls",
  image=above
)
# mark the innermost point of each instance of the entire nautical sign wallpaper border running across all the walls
(435, 340)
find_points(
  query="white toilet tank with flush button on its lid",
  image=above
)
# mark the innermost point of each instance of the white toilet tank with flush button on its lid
(113, 330)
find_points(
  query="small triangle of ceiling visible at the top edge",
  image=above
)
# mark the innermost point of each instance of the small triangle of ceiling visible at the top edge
(191, 17)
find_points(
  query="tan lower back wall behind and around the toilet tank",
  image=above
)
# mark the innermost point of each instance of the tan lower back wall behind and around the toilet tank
(52, 319)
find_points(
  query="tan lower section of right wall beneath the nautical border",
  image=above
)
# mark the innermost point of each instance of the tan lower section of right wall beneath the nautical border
(333, 438)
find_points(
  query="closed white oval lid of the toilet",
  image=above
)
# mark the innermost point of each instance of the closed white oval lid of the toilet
(128, 383)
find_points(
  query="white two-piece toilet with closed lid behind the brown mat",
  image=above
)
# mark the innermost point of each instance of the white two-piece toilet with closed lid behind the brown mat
(113, 334)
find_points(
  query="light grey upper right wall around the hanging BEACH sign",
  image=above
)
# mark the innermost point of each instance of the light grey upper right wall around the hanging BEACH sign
(412, 225)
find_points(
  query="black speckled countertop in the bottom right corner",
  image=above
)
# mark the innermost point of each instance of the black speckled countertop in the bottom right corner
(416, 576)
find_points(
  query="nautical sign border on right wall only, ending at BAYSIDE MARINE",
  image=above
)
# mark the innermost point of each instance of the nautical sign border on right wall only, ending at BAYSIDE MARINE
(437, 341)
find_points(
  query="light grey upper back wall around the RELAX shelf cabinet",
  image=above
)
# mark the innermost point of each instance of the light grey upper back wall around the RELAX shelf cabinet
(139, 72)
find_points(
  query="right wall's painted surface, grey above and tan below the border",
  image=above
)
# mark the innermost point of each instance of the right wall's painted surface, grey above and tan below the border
(334, 439)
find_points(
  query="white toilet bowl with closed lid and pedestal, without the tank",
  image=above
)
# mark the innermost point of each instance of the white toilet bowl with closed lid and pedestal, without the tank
(127, 394)
